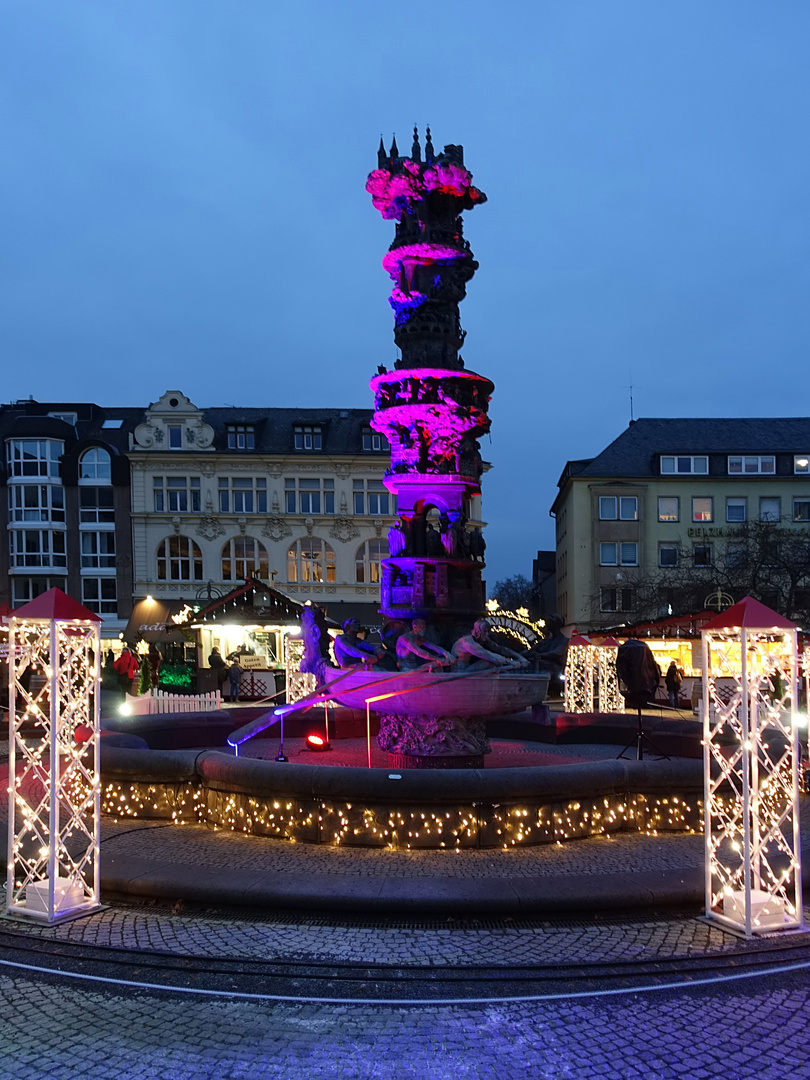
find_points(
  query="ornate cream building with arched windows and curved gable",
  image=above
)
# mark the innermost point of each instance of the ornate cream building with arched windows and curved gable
(290, 496)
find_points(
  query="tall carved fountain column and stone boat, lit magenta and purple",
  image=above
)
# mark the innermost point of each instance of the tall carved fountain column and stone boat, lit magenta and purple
(434, 411)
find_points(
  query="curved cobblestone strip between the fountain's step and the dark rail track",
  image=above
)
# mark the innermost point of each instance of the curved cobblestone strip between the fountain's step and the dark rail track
(503, 943)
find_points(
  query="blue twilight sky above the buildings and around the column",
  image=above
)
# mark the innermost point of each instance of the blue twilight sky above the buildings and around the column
(183, 193)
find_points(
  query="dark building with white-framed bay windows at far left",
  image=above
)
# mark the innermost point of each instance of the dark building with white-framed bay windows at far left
(66, 511)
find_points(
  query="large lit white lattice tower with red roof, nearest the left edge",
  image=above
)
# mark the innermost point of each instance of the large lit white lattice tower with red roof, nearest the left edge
(55, 682)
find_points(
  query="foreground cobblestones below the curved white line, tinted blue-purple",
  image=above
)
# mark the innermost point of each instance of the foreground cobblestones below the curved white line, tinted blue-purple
(752, 1030)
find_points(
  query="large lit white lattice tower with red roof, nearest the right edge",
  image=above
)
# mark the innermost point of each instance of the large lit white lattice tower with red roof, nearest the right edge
(751, 771)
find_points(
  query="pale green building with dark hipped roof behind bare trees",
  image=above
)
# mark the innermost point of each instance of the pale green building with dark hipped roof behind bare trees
(677, 511)
